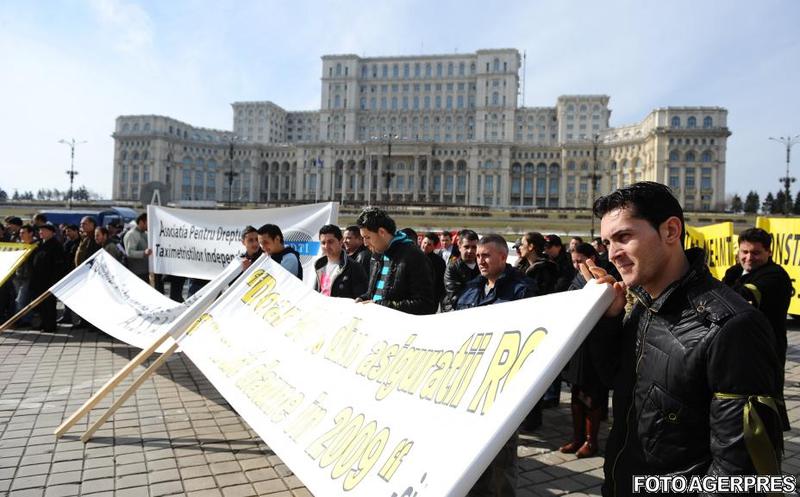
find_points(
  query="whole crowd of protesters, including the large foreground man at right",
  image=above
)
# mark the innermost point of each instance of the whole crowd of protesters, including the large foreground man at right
(695, 365)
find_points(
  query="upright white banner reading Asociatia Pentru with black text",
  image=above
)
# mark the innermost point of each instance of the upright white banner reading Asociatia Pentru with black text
(199, 243)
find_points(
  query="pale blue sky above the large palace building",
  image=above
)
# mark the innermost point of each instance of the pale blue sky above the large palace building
(70, 67)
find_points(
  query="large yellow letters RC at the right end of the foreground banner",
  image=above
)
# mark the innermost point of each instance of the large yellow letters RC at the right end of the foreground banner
(508, 359)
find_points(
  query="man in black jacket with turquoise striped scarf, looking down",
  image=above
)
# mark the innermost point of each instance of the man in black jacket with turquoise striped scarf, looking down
(400, 276)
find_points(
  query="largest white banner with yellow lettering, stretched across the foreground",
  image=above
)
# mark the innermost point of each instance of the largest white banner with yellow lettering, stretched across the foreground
(362, 400)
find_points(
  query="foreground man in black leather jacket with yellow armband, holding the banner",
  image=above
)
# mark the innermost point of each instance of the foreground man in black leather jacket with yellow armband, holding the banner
(695, 357)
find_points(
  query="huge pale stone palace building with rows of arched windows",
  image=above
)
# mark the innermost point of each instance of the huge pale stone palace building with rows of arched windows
(425, 130)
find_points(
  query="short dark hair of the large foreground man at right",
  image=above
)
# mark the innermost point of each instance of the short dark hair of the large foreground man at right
(646, 200)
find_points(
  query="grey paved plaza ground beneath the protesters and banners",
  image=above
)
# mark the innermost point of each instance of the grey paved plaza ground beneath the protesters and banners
(178, 436)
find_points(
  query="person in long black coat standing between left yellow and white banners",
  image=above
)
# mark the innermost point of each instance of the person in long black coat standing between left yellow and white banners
(47, 268)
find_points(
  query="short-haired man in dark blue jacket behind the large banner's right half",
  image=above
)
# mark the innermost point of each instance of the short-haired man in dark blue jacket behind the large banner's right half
(497, 283)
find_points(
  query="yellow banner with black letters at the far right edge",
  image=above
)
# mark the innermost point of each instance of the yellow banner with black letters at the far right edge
(785, 250)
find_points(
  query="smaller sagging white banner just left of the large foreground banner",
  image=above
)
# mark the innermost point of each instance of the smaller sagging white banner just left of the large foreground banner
(105, 293)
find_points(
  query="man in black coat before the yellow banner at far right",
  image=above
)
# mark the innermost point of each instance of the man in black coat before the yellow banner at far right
(764, 284)
